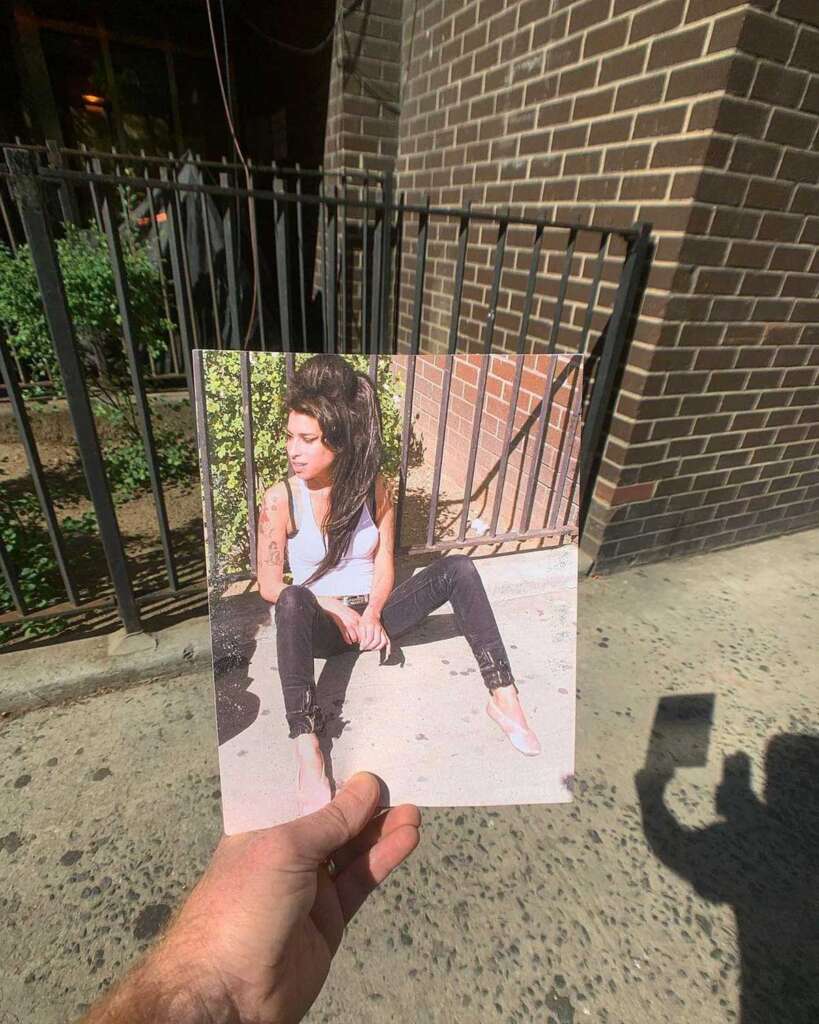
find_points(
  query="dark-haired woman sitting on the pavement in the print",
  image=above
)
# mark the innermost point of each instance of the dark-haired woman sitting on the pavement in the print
(333, 521)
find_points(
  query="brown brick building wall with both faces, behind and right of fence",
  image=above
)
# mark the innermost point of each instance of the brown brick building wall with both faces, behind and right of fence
(702, 117)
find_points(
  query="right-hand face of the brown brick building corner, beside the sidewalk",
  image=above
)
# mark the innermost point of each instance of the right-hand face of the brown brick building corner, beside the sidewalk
(717, 438)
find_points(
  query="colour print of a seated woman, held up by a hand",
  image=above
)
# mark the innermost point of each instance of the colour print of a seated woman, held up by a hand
(467, 694)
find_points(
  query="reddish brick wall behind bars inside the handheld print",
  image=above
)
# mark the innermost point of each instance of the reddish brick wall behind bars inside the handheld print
(495, 417)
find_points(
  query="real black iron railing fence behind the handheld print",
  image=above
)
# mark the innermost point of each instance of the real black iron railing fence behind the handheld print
(283, 260)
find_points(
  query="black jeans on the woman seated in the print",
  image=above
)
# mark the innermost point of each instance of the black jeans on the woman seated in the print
(306, 631)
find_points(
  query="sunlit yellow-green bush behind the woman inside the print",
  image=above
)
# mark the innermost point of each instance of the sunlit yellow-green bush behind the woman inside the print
(226, 432)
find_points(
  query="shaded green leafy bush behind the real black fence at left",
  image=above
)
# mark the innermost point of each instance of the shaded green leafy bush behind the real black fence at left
(93, 305)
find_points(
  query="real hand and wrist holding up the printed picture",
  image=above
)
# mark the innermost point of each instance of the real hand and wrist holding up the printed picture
(256, 937)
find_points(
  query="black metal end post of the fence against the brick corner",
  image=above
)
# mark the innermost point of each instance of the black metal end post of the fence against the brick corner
(613, 352)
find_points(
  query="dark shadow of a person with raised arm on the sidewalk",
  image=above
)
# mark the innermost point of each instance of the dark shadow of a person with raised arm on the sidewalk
(763, 859)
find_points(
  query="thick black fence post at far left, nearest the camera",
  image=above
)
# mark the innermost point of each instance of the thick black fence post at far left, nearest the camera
(38, 234)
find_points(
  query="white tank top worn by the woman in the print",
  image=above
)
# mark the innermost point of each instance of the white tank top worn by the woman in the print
(308, 547)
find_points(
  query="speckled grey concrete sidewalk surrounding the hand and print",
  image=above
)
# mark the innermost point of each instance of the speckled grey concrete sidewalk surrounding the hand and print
(556, 914)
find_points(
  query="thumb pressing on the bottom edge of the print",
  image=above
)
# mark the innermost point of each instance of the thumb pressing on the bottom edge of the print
(321, 834)
